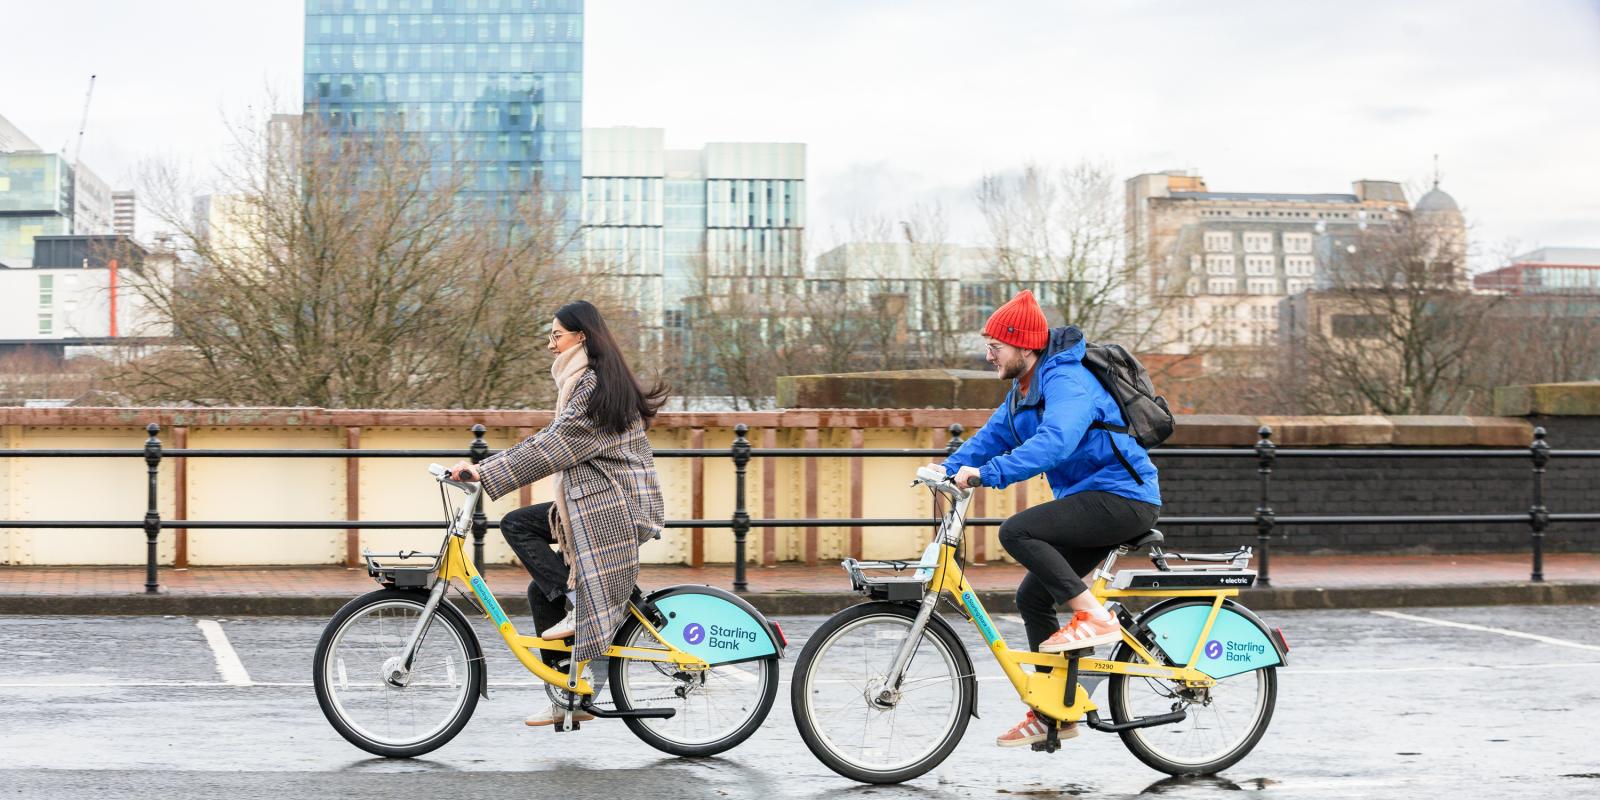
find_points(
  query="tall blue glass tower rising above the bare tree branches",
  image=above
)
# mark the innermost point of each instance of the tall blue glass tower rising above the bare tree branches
(495, 86)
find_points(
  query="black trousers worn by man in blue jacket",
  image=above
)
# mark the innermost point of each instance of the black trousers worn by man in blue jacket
(1062, 540)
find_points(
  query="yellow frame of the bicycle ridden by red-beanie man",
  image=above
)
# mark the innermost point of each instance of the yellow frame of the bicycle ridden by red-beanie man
(1046, 692)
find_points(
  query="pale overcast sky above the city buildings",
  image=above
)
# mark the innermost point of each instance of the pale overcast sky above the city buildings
(911, 102)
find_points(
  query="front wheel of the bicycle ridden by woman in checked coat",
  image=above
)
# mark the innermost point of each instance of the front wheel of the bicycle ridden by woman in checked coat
(385, 714)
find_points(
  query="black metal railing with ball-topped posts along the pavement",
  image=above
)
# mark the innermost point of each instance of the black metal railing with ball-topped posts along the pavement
(1265, 521)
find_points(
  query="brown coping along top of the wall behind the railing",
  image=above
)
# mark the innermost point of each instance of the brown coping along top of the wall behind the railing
(1193, 430)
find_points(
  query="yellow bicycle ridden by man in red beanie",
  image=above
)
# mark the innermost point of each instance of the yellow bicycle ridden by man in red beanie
(884, 690)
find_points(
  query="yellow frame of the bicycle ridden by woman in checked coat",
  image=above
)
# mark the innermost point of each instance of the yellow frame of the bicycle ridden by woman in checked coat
(454, 566)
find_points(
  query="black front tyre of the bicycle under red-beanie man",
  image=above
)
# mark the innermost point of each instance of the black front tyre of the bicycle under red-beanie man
(806, 666)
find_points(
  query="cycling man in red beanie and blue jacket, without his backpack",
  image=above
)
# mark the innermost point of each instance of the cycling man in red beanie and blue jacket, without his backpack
(1058, 422)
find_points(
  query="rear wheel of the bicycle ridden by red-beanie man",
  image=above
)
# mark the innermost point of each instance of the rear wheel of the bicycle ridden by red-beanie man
(1223, 722)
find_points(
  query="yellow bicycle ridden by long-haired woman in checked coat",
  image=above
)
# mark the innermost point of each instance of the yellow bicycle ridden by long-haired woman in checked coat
(694, 670)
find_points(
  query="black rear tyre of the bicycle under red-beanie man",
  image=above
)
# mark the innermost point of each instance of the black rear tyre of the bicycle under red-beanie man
(1142, 742)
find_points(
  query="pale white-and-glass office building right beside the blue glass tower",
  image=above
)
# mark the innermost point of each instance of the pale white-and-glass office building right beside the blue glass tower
(673, 225)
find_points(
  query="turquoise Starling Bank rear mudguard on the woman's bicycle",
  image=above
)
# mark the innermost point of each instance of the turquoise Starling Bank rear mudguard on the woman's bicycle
(714, 625)
